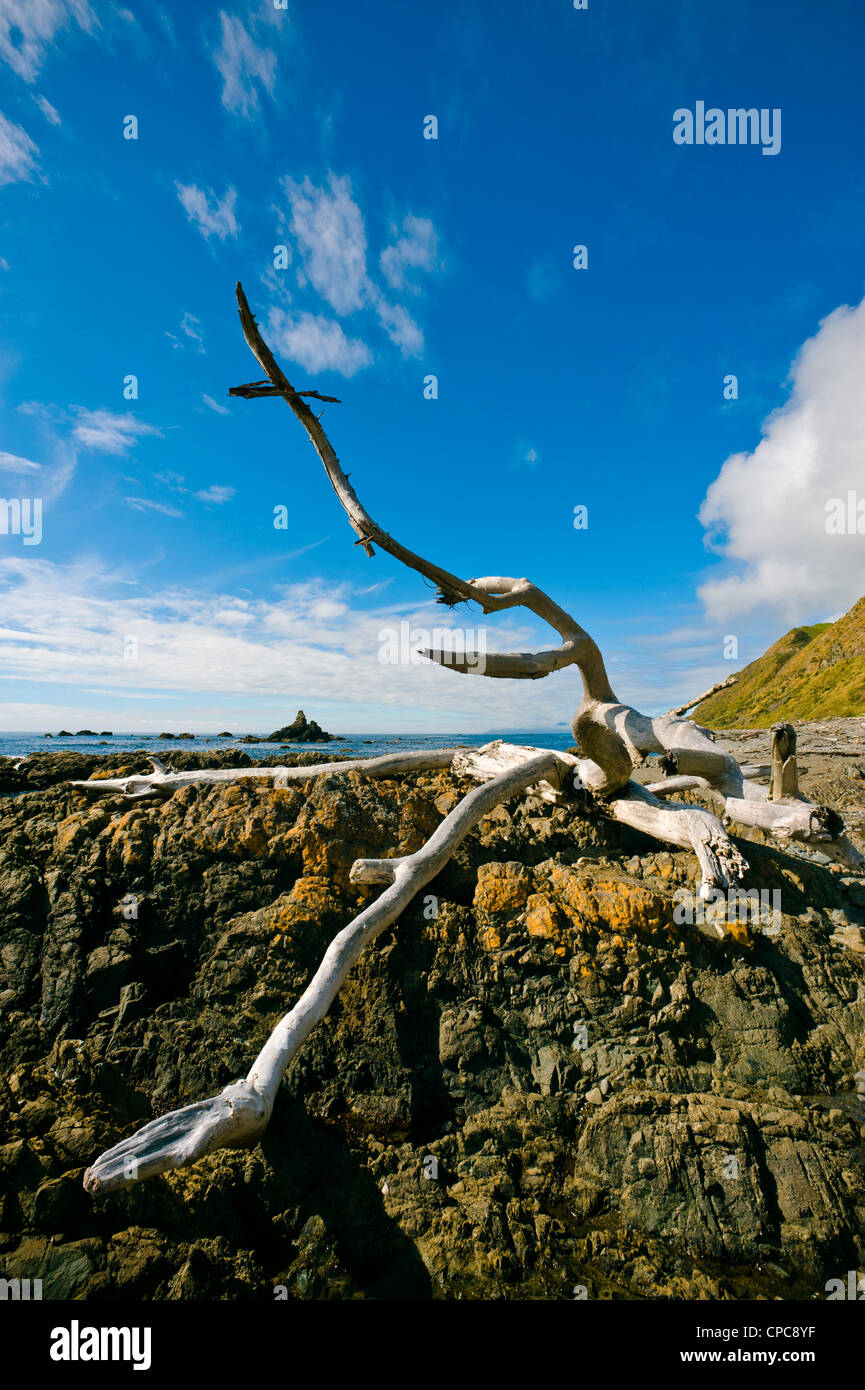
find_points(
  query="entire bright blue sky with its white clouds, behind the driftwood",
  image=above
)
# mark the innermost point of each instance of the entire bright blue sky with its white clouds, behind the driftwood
(407, 258)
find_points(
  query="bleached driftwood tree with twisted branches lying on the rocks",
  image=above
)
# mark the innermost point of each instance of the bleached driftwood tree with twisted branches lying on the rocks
(614, 740)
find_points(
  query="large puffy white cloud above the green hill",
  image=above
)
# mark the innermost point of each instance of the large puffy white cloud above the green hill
(767, 509)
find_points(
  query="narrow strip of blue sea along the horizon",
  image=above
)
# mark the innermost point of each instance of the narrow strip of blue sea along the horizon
(354, 746)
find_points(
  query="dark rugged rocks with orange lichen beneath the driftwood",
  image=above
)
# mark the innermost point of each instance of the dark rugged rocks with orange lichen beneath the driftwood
(537, 1084)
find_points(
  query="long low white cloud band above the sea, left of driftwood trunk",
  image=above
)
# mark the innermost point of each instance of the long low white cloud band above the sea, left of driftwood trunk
(72, 623)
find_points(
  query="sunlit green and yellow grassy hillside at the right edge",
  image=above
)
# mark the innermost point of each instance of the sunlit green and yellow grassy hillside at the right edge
(811, 673)
